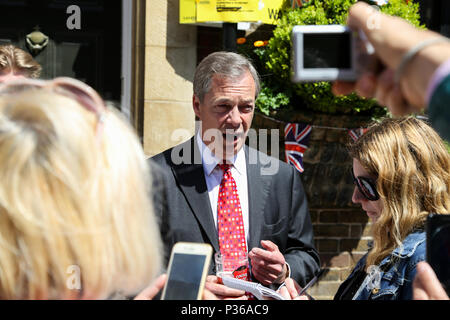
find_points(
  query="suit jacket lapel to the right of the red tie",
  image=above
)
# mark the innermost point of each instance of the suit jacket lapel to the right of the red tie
(258, 190)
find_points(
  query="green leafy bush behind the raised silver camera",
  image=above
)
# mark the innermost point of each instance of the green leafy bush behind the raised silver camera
(274, 61)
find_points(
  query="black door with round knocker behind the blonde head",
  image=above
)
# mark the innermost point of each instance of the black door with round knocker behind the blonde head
(91, 53)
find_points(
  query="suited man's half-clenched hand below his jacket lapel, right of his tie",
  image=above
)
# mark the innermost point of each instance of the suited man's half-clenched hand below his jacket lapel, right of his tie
(268, 266)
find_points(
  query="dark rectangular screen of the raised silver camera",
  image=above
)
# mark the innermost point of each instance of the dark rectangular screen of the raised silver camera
(327, 50)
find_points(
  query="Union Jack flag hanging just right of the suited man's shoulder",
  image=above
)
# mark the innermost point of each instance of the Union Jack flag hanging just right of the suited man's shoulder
(296, 140)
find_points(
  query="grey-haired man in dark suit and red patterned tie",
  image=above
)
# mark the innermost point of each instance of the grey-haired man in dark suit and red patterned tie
(271, 203)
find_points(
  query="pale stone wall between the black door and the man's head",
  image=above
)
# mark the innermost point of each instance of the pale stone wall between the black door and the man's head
(170, 61)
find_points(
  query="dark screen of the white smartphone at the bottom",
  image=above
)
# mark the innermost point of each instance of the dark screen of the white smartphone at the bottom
(184, 277)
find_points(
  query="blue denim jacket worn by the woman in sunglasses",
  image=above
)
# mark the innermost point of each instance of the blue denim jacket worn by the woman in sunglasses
(397, 270)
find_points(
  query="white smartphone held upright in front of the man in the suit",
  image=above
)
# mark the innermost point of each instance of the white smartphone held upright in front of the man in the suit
(187, 271)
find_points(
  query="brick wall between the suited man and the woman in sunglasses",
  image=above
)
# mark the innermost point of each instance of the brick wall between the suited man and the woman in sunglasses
(341, 229)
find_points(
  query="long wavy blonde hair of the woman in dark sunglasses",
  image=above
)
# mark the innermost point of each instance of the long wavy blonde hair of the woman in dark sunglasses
(412, 166)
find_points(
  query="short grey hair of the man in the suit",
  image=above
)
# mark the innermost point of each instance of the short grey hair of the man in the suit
(225, 64)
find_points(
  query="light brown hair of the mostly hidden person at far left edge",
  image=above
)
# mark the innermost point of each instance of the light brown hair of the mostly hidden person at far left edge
(18, 60)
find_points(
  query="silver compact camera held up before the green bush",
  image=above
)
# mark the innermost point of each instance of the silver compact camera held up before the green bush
(323, 53)
